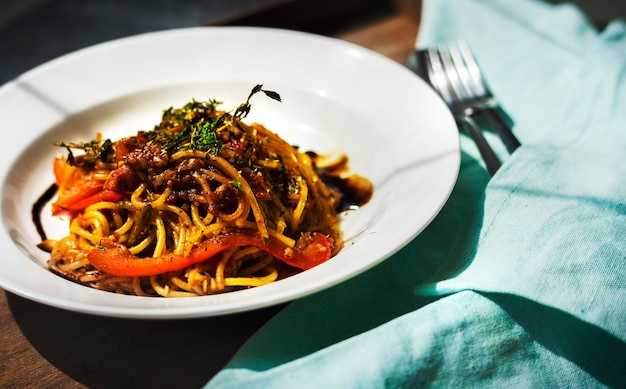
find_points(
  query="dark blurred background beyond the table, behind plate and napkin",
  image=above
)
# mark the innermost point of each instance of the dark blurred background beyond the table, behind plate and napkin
(35, 31)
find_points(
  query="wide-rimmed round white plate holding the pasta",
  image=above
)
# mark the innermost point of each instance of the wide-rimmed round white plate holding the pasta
(336, 95)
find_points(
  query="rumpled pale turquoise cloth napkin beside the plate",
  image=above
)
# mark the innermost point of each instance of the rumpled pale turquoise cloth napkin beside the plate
(521, 279)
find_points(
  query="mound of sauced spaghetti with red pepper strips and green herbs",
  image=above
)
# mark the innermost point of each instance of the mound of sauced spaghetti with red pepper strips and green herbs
(201, 204)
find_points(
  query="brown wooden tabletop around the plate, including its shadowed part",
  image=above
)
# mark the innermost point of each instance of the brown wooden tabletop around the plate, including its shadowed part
(43, 347)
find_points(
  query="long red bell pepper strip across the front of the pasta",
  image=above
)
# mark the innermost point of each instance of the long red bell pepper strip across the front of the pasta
(114, 258)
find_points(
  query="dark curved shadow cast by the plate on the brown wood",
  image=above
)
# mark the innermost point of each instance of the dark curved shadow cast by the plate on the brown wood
(102, 352)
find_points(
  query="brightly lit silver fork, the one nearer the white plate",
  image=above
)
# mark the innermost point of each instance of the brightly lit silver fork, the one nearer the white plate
(435, 66)
